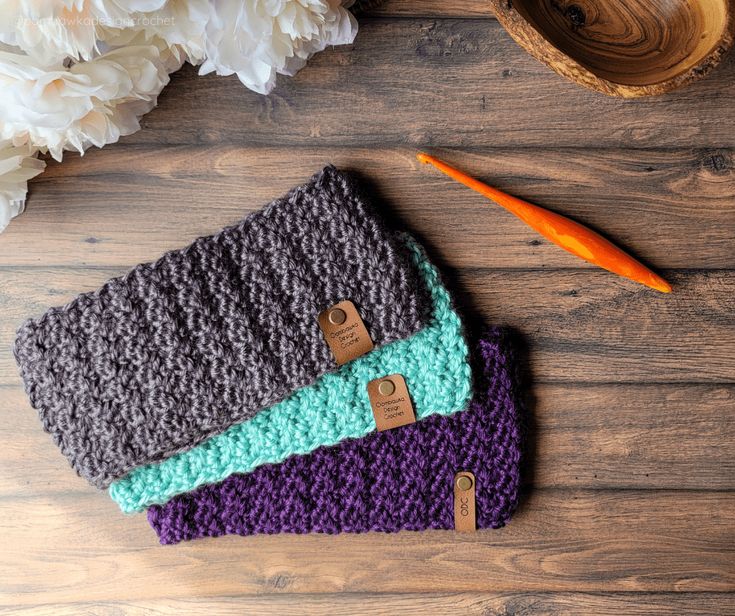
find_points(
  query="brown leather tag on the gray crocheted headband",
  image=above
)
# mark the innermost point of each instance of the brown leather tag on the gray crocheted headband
(345, 332)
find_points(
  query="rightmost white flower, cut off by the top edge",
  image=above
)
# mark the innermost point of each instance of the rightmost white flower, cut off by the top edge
(256, 39)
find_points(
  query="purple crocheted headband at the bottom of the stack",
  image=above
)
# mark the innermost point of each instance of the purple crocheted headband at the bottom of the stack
(401, 479)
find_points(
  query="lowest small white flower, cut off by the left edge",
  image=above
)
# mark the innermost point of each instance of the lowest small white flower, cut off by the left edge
(17, 166)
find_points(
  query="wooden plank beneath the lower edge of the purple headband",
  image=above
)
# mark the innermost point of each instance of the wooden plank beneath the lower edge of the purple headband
(573, 540)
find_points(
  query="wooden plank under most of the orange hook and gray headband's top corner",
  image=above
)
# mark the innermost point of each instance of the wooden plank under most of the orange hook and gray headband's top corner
(197, 190)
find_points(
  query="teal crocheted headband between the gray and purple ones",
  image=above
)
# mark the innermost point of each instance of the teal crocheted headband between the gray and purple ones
(434, 364)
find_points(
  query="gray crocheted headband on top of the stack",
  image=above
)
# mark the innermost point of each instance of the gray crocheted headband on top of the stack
(178, 350)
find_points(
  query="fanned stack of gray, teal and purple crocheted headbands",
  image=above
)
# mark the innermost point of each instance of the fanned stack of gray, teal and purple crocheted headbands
(202, 385)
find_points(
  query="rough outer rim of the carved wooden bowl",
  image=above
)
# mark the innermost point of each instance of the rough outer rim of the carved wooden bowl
(528, 37)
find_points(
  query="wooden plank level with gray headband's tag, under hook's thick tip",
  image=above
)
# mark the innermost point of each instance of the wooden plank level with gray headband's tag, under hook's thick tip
(581, 325)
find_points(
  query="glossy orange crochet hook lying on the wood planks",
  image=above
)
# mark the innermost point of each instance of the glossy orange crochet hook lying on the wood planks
(570, 235)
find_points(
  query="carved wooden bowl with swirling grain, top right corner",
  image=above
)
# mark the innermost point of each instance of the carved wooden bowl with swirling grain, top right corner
(623, 47)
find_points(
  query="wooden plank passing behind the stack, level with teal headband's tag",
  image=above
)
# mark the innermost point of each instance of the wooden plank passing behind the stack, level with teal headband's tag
(583, 436)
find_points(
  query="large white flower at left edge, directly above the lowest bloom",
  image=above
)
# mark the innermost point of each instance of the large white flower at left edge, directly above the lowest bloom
(89, 103)
